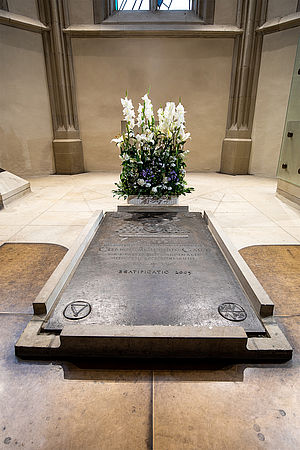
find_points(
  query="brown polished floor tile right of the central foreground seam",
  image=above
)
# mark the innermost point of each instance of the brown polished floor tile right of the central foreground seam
(236, 407)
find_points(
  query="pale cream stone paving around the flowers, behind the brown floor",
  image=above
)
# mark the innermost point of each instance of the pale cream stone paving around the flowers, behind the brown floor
(59, 207)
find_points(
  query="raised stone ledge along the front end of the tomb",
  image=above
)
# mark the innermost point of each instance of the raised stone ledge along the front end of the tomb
(94, 341)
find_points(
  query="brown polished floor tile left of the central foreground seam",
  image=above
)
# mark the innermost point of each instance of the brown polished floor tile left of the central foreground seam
(51, 405)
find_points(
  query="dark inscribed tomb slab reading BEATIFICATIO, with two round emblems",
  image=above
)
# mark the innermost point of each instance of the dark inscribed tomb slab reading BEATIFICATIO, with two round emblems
(153, 269)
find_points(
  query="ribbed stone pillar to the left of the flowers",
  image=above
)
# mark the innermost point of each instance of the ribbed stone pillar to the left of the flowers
(67, 145)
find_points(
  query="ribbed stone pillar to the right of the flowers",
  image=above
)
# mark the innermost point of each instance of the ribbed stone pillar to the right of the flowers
(245, 70)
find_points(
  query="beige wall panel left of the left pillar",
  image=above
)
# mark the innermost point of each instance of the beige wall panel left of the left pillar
(25, 120)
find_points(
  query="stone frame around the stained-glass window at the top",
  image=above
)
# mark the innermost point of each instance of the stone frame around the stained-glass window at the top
(202, 12)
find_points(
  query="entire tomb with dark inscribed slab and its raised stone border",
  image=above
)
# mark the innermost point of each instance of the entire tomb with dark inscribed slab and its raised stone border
(153, 284)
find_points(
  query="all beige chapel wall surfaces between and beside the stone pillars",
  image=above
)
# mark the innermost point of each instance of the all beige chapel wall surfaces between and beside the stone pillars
(197, 69)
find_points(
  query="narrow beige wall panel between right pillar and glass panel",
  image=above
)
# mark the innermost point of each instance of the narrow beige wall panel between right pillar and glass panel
(276, 71)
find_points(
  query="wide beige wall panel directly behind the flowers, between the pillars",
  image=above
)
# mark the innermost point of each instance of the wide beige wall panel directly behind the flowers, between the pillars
(198, 70)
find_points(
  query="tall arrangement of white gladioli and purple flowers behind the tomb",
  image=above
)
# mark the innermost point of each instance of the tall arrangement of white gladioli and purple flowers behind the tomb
(152, 153)
